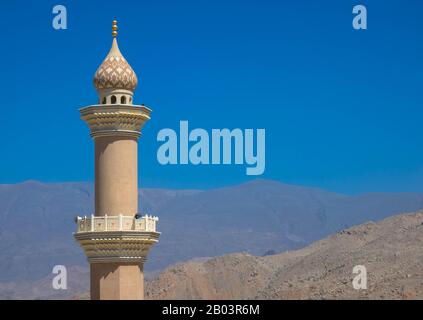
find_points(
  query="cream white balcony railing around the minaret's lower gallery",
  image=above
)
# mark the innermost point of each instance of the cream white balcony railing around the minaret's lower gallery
(116, 223)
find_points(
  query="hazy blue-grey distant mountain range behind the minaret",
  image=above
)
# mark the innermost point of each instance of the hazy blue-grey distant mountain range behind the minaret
(37, 221)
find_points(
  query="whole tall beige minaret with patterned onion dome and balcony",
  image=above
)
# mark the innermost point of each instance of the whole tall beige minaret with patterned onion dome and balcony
(116, 239)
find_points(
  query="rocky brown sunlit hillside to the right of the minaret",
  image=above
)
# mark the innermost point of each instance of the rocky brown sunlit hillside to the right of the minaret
(391, 251)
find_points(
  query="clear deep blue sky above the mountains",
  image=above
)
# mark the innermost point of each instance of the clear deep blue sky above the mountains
(342, 108)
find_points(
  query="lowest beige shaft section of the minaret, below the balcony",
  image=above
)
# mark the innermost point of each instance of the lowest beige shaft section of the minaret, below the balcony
(117, 281)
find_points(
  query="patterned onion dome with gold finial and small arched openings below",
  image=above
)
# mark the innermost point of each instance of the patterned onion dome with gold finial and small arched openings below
(115, 80)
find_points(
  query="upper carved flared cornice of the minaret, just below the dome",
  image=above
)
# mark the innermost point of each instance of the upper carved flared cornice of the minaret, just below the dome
(106, 120)
